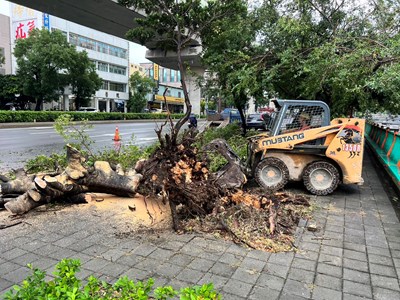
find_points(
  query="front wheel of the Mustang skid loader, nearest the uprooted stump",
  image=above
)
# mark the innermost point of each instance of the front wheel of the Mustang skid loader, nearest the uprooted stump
(271, 173)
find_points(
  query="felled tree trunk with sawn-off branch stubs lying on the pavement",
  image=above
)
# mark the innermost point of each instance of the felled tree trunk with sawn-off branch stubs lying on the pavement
(26, 192)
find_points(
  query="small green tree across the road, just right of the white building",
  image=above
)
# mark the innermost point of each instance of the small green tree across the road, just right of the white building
(140, 87)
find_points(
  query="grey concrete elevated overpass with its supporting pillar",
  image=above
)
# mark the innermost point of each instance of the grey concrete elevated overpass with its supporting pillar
(110, 17)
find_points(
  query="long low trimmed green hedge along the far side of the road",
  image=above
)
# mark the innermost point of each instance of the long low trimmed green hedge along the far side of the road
(7, 116)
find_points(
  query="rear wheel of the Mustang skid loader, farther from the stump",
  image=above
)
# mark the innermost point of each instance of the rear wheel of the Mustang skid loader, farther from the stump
(321, 178)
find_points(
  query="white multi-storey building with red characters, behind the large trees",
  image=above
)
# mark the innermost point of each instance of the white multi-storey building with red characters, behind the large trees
(109, 53)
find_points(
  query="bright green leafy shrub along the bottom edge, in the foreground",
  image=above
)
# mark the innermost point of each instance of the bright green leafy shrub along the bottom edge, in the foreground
(66, 285)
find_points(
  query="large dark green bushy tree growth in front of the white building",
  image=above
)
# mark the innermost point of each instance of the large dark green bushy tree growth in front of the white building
(47, 63)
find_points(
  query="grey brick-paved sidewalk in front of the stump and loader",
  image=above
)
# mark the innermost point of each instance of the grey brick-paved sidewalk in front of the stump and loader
(354, 255)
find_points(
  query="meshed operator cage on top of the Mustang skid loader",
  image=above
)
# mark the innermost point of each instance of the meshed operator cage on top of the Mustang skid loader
(314, 113)
